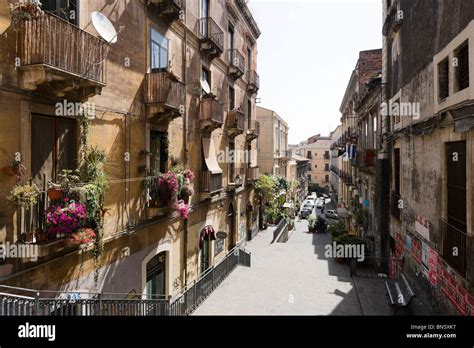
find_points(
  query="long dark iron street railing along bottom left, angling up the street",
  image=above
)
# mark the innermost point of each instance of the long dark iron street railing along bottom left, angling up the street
(28, 302)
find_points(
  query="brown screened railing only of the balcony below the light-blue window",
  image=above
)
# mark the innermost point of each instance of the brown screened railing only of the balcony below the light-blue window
(161, 89)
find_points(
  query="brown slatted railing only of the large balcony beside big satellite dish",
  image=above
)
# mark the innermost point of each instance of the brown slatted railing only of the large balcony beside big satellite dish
(51, 41)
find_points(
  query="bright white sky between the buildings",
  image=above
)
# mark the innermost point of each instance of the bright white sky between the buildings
(306, 54)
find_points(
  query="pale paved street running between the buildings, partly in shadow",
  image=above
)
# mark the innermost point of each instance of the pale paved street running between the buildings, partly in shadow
(294, 278)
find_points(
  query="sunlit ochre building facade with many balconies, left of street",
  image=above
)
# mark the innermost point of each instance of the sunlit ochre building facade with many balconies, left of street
(177, 87)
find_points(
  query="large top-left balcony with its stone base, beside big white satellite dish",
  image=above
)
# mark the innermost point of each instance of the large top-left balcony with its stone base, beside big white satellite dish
(62, 57)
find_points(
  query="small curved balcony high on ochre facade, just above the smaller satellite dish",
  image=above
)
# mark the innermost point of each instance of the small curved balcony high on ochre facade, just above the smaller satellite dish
(211, 37)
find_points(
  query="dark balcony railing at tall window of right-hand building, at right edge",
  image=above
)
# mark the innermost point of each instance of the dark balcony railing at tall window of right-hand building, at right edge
(452, 237)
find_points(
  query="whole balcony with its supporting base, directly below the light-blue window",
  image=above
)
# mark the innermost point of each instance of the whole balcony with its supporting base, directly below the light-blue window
(164, 95)
